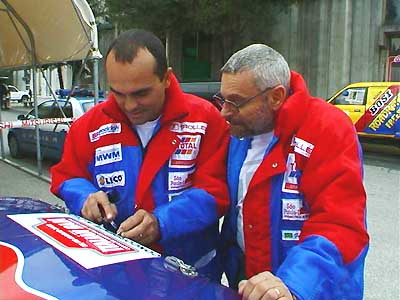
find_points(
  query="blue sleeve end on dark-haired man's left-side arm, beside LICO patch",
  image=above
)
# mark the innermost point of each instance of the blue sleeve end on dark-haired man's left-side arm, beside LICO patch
(74, 192)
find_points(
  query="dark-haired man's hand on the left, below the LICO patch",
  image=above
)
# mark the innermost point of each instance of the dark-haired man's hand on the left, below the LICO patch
(97, 208)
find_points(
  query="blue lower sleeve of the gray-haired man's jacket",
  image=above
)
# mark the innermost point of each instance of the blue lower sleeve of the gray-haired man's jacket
(314, 269)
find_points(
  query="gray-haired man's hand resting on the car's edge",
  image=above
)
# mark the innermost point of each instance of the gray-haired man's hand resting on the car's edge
(264, 286)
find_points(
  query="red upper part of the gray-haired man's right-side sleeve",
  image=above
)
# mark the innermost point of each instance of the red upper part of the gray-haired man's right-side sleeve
(332, 183)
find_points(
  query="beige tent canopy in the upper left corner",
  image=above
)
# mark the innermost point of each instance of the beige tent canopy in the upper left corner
(62, 30)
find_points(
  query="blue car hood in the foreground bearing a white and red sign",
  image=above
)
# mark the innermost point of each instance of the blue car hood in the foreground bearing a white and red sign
(48, 254)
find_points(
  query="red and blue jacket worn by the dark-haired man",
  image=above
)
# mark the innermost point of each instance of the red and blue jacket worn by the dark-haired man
(180, 176)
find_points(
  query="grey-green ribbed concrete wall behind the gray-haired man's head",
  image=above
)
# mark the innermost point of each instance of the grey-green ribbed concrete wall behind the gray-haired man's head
(332, 42)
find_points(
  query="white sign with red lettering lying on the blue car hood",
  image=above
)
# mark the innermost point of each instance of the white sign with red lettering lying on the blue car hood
(86, 243)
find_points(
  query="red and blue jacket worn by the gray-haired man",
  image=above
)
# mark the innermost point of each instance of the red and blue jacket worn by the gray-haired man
(304, 211)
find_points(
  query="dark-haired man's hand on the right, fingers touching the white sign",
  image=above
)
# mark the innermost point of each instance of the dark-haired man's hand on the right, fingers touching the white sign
(142, 227)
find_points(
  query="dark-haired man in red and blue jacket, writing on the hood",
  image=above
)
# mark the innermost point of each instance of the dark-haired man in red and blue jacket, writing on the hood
(160, 154)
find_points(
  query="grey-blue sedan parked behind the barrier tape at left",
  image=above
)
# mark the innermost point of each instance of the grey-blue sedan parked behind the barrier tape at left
(22, 141)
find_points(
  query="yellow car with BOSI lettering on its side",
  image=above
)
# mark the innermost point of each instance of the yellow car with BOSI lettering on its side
(374, 107)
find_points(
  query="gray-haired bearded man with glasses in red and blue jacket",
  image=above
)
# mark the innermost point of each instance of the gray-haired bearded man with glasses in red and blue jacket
(296, 224)
